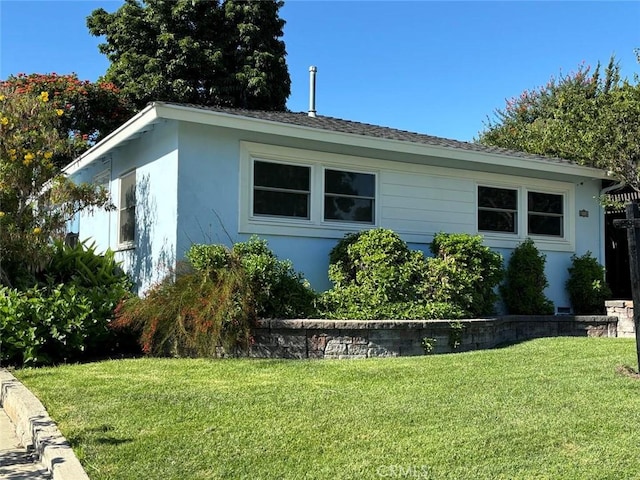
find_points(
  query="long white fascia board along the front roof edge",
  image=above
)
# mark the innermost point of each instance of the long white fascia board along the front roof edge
(221, 119)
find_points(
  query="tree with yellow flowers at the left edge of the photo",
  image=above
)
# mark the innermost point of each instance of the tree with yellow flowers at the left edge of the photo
(36, 201)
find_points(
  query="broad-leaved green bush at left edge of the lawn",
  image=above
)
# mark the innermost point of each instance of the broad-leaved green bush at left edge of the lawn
(67, 316)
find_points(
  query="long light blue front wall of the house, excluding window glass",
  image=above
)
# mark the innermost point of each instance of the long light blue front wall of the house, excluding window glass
(415, 199)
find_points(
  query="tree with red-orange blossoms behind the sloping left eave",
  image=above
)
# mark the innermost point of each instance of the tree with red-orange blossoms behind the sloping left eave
(90, 111)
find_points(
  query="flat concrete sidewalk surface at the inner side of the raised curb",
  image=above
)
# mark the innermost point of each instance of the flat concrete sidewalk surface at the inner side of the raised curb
(16, 463)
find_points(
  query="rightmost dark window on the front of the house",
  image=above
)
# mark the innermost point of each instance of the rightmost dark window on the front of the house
(545, 214)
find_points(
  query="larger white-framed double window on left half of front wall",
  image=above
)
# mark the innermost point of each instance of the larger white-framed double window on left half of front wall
(300, 192)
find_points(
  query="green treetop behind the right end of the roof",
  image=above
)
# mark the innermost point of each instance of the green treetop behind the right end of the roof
(587, 117)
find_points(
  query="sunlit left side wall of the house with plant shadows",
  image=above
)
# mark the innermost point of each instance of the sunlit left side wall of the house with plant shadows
(154, 156)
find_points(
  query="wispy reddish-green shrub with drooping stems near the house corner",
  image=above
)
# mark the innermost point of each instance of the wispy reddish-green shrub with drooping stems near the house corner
(191, 313)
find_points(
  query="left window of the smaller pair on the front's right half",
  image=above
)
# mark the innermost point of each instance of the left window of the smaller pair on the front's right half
(497, 210)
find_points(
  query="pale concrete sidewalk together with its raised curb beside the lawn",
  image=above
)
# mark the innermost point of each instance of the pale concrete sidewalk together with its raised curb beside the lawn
(24, 422)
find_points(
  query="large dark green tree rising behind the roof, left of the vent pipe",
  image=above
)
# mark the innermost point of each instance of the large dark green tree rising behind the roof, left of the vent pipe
(204, 52)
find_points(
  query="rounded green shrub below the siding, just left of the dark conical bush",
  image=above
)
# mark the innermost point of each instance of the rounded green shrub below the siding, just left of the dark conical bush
(464, 272)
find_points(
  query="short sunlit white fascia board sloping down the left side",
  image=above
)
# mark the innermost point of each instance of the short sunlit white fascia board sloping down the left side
(134, 125)
